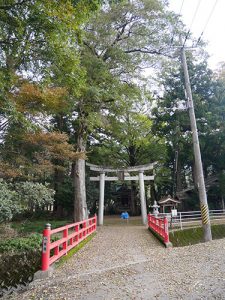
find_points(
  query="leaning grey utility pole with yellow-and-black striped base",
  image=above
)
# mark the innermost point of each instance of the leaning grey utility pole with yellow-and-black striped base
(197, 153)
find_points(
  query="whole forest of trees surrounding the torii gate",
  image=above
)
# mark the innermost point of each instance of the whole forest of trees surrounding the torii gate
(102, 81)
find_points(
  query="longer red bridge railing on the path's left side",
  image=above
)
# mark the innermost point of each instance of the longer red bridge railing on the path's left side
(71, 236)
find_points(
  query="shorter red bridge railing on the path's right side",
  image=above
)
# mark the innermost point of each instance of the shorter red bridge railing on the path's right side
(160, 226)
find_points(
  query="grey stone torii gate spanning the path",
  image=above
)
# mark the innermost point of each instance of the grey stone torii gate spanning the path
(120, 176)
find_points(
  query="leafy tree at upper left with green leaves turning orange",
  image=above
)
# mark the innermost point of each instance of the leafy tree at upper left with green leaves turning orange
(38, 39)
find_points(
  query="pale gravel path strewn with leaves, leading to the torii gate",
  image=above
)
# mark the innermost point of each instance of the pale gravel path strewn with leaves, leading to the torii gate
(127, 262)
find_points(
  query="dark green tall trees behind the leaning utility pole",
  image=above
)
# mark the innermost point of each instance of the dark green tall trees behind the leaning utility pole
(171, 121)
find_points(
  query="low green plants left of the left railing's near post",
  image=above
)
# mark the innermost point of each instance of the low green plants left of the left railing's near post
(17, 245)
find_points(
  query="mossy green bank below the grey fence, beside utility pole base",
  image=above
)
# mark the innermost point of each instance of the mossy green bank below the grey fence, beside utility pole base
(193, 236)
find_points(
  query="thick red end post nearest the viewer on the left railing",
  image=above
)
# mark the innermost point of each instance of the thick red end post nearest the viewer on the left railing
(46, 248)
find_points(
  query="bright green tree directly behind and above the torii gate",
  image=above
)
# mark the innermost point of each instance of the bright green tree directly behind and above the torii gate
(127, 138)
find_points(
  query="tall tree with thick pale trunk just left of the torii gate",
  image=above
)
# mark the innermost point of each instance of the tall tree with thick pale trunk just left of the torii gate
(120, 40)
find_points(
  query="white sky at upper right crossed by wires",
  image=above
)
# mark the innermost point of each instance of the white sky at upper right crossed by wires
(214, 33)
